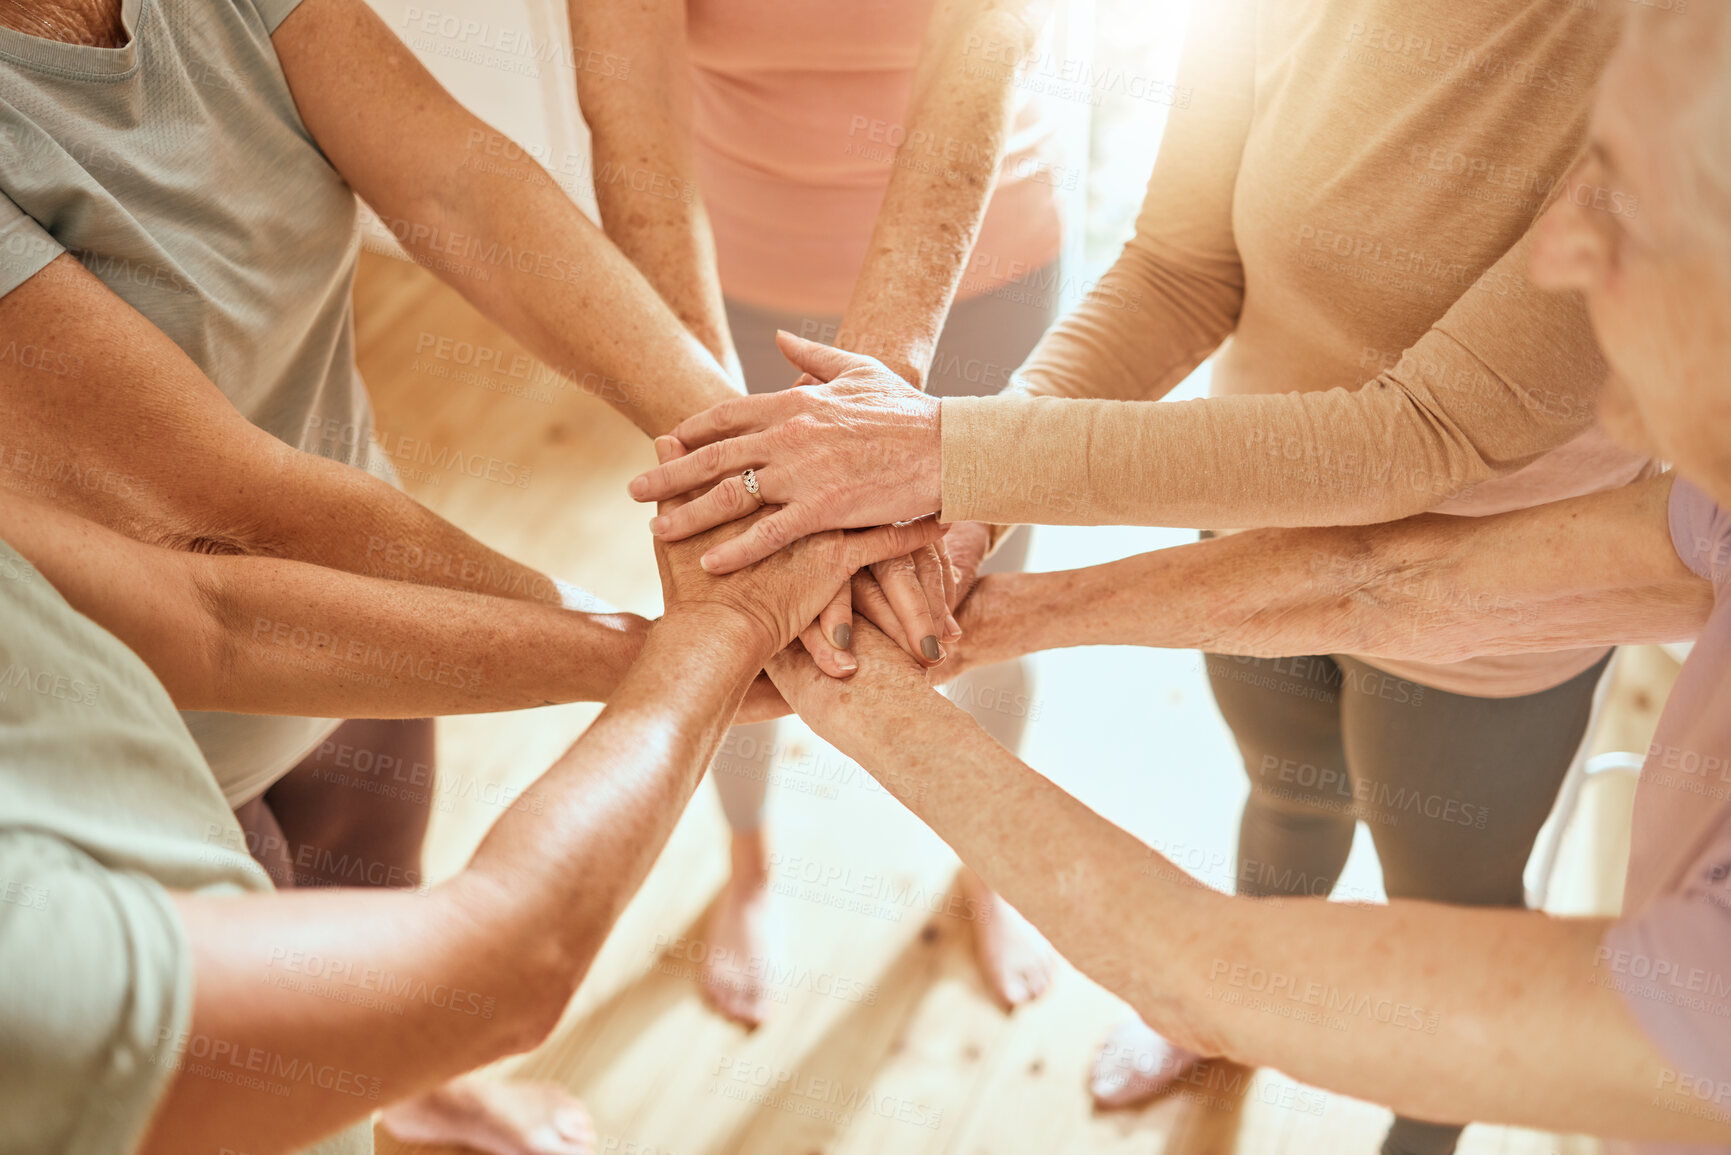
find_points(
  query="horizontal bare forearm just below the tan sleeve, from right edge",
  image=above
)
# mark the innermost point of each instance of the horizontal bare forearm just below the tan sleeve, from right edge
(1592, 571)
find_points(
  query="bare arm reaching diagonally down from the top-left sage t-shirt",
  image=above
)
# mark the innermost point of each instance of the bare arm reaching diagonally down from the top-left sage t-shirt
(503, 233)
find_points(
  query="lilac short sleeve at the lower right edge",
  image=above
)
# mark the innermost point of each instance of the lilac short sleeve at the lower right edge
(1673, 967)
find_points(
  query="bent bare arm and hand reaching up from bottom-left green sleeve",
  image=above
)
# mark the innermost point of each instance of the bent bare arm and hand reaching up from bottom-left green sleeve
(484, 965)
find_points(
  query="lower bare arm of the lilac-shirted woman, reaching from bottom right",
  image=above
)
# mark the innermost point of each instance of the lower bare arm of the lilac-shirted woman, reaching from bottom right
(1503, 1007)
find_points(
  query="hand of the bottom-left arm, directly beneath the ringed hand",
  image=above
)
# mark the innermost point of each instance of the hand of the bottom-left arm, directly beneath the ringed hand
(780, 597)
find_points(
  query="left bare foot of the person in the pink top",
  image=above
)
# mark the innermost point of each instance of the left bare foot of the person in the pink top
(742, 938)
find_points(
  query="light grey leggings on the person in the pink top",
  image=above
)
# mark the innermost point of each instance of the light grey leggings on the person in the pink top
(984, 340)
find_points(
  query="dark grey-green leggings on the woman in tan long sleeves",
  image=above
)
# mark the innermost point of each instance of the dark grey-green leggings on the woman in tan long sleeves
(1453, 789)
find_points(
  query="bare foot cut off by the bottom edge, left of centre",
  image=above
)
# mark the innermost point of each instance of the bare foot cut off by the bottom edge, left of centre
(496, 1118)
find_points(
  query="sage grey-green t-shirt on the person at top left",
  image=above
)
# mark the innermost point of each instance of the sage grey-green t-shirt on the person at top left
(179, 172)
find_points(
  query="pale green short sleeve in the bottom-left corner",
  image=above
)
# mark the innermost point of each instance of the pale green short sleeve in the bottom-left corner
(98, 991)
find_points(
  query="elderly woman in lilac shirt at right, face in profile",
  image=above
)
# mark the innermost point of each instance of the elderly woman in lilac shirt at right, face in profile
(1616, 1028)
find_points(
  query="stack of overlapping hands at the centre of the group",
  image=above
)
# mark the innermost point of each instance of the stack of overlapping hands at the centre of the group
(851, 448)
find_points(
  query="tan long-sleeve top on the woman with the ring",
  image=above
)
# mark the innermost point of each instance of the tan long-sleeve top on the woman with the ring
(1346, 205)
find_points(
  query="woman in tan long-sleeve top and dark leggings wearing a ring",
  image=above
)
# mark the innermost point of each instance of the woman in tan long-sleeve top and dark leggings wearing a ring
(1348, 198)
